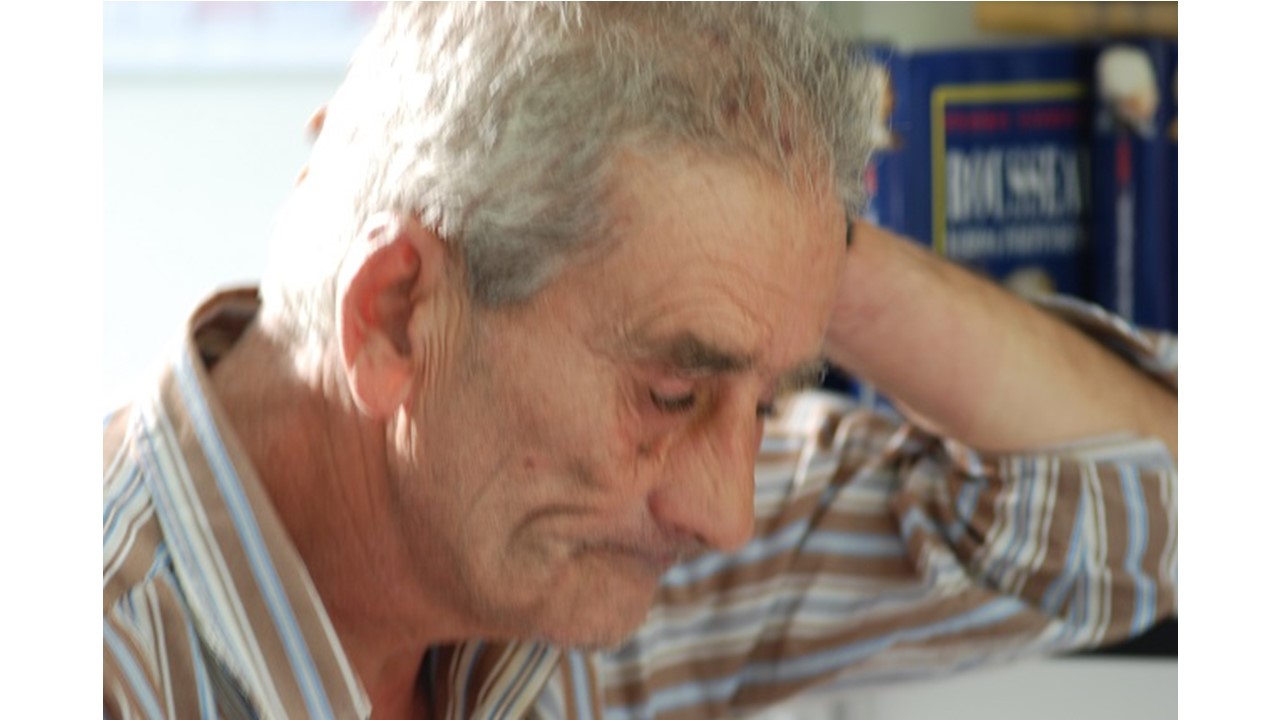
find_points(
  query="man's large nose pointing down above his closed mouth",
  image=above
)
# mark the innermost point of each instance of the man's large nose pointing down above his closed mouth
(711, 494)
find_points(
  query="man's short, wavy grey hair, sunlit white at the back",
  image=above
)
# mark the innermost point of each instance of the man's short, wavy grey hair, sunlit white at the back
(496, 125)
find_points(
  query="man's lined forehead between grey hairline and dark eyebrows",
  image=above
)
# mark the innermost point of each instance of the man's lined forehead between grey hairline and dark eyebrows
(716, 267)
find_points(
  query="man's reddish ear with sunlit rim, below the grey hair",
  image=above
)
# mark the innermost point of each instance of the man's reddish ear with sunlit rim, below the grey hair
(396, 266)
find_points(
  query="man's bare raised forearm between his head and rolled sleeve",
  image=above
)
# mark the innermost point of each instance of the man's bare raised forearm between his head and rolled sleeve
(968, 361)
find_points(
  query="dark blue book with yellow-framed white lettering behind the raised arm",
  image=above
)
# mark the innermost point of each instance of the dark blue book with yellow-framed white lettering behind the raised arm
(998, 160)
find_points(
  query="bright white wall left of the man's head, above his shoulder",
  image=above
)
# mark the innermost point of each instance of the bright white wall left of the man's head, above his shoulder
(194, 170)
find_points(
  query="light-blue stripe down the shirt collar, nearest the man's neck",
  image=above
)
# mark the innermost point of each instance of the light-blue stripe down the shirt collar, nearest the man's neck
(255, 549)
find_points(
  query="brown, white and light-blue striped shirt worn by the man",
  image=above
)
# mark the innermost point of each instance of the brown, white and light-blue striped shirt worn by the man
(881, 554)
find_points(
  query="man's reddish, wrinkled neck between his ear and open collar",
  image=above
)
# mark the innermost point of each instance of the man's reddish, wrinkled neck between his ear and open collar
(326, 468)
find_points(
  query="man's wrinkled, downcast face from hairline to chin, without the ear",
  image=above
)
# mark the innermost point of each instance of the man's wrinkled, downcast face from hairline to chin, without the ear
(609, 426)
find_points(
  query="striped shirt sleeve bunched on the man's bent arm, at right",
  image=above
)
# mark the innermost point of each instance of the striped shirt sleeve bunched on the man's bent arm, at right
(886, 554)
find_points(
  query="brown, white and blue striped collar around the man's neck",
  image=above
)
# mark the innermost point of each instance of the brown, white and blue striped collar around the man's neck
(244, 580)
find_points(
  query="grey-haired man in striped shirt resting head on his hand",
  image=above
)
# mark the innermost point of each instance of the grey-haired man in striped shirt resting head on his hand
(510, 431)
